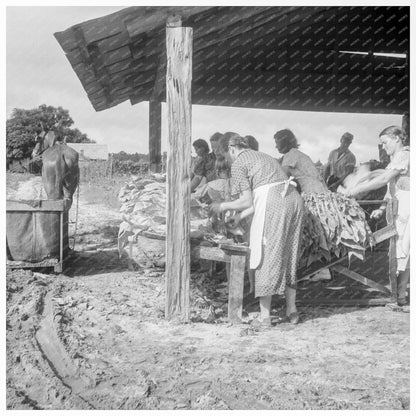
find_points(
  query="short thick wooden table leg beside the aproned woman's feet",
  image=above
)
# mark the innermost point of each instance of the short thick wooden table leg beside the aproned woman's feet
(236, 288)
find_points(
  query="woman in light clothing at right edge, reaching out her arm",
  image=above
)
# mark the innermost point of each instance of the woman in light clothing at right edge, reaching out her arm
(397, 177)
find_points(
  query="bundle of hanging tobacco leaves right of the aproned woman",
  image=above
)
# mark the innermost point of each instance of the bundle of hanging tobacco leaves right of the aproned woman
(335, 225)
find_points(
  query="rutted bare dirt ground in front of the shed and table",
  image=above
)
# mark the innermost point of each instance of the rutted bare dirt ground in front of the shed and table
(95, 337)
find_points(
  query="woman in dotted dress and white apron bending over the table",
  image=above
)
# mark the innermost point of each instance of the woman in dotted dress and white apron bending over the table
(265, 191)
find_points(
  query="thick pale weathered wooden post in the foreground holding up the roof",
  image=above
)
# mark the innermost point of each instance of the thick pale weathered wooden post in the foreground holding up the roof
(178, 88)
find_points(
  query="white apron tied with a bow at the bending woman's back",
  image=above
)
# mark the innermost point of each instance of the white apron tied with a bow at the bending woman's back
(257, 224)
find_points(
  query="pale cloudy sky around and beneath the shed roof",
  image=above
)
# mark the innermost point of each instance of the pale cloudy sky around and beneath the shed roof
(37, 72)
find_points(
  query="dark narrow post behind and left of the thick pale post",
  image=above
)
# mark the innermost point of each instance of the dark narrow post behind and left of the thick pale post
(155, 125)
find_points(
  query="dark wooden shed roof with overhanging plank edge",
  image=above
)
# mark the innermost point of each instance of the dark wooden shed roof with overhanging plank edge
(260, 57)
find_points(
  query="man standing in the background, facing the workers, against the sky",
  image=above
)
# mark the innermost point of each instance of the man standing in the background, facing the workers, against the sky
(341, 163)
